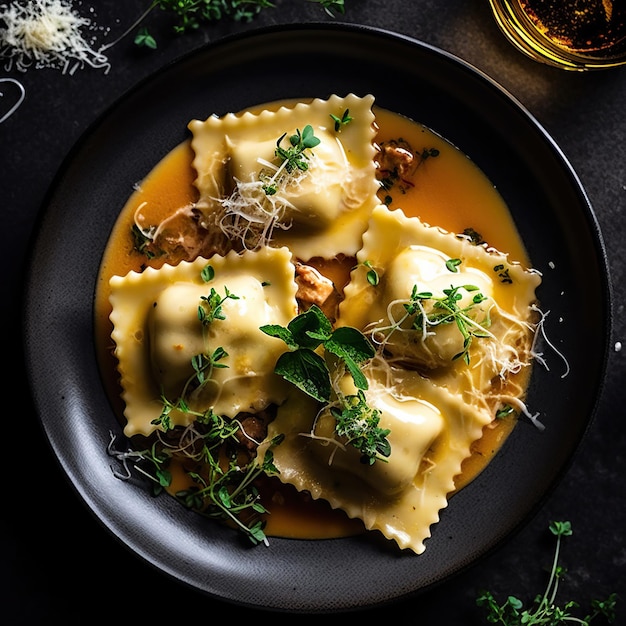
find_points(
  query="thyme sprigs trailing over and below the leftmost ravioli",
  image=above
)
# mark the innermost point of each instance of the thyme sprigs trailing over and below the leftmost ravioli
(225, 486)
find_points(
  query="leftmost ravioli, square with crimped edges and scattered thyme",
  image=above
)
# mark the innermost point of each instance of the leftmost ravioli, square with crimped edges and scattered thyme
(157, 333)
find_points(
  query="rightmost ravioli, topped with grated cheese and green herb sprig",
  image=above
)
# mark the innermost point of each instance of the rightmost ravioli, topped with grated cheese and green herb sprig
(406, 253)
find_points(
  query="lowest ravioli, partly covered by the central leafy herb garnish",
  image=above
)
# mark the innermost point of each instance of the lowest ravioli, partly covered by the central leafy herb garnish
(431, 434)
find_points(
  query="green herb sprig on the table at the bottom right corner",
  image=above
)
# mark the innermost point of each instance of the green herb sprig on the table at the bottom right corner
(544, 611)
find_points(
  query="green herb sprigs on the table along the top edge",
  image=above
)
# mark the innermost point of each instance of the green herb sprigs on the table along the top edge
(191, 14)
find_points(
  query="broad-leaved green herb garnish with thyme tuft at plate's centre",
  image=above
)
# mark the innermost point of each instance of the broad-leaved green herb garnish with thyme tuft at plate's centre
(309, 371)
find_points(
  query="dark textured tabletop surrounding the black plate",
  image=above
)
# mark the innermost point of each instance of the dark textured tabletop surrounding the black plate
(58, 566)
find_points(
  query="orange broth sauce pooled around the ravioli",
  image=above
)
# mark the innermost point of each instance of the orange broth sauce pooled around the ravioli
(449, 191)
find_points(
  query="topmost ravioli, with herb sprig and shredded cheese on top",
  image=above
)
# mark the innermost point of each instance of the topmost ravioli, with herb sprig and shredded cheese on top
(321, 211)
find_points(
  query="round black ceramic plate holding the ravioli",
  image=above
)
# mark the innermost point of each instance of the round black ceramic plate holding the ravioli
(444, 93)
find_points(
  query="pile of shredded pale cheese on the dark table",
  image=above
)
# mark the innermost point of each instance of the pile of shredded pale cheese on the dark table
(47, 34)
